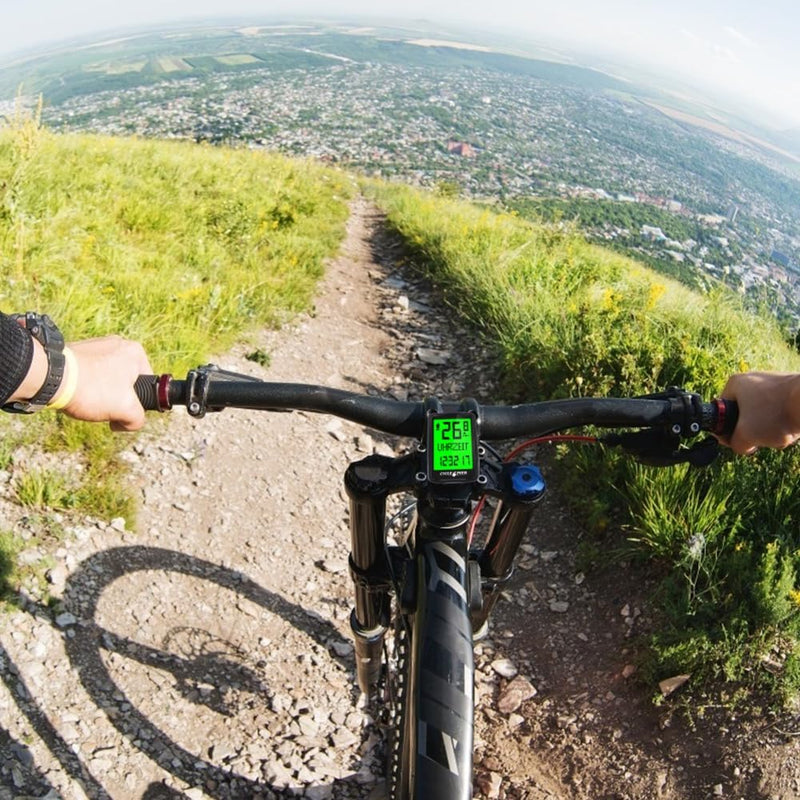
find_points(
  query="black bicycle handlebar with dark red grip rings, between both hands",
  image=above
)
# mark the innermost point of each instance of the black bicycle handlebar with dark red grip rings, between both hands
(209, 388)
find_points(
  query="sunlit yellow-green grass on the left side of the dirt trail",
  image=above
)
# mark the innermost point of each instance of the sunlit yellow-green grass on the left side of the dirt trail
(183, 247)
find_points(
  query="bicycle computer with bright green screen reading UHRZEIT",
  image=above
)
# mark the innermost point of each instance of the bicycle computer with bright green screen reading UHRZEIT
(452, 448)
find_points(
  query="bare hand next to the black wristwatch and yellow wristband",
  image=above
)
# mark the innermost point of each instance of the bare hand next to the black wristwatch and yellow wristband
(107, 370)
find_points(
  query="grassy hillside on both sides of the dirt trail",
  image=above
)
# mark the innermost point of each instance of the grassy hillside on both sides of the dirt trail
(192, 248)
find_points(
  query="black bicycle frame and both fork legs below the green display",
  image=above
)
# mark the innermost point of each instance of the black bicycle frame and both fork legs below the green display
(448, 588)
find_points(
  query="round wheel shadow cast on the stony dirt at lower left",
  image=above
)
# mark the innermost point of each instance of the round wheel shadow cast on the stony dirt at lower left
(201, 667)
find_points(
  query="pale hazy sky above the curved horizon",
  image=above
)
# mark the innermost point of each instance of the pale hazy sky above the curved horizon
(745, 49)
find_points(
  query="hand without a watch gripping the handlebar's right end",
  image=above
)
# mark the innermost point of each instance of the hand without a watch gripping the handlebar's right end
(769, 410)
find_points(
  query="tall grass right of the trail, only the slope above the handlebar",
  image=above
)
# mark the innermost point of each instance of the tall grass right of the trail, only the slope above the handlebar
(570, 317)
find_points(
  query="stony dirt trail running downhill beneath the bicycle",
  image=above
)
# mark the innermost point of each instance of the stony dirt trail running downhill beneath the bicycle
(208, 653)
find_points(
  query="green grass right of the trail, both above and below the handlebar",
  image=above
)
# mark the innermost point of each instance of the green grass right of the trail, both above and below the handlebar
(569, 318)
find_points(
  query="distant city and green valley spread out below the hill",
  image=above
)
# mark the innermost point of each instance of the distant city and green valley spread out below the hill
(696, 192)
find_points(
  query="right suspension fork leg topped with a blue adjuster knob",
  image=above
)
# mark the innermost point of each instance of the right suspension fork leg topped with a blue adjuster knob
(521, 488)
